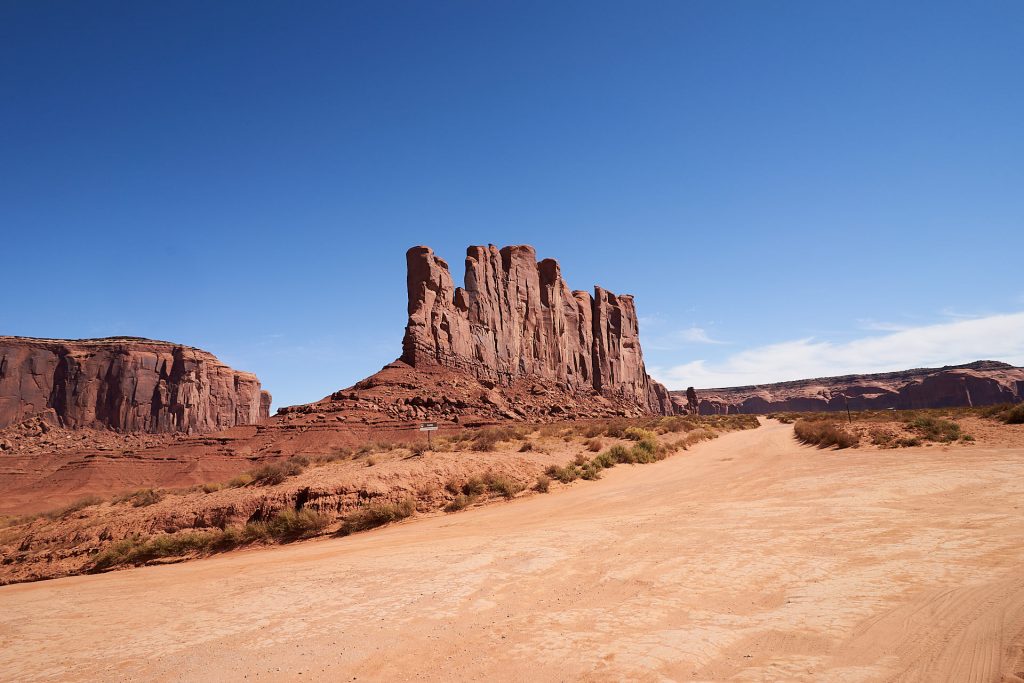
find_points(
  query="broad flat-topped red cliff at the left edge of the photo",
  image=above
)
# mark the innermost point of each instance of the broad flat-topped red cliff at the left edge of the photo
(126, 385)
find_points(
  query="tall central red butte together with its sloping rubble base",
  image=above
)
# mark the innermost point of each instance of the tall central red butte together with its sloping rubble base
(515, 344)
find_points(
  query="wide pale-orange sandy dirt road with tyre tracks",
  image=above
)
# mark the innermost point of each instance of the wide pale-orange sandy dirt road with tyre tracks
(749, 559)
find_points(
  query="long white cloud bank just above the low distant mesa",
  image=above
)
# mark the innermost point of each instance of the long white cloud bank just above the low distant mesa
(993, 338)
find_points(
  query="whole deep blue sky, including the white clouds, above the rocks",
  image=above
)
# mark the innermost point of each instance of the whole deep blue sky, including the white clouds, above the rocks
(789, 189)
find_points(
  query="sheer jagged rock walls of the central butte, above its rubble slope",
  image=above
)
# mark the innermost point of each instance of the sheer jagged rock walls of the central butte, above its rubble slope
(517, 318)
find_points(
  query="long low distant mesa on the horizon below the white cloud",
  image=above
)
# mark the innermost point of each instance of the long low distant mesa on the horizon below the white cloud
(980, 383)
